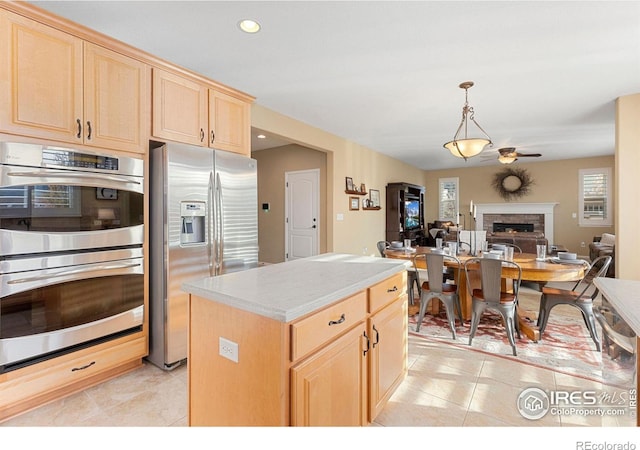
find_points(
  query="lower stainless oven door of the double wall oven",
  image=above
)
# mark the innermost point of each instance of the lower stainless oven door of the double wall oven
(55, 303)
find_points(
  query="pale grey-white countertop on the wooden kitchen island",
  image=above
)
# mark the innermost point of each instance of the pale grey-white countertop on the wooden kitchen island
(289, 290)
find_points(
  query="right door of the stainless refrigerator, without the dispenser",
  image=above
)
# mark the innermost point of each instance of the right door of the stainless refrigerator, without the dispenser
(235, 218)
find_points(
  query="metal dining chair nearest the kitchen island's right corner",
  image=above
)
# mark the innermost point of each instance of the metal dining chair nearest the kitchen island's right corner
(435, 287)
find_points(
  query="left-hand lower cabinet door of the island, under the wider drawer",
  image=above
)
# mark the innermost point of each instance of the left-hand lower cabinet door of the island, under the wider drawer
(329, 388)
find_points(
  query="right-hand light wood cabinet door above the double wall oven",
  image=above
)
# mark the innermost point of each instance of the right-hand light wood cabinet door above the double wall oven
(115, 100)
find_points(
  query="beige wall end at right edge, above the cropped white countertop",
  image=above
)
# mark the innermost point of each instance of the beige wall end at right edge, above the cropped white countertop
(628, 204)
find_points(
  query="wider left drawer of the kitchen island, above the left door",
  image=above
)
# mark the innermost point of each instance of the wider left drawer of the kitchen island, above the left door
(315, 330)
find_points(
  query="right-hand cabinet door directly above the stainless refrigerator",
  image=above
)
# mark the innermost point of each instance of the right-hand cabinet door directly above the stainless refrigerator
(229, 123)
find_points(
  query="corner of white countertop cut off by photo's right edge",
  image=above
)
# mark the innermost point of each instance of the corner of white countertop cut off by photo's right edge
(624, 295)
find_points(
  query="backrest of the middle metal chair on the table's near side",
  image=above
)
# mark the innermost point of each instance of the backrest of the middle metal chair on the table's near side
(490, 274)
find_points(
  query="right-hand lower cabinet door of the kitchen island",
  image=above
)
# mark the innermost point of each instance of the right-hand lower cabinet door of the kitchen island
(388, 357)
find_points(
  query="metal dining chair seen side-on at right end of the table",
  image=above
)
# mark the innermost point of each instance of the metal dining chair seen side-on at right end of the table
(580, 296)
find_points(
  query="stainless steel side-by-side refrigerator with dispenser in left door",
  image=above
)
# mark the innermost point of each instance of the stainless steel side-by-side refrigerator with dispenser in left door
(203, 222)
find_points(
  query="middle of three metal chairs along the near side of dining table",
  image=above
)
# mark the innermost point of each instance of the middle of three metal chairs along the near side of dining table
(490, 294)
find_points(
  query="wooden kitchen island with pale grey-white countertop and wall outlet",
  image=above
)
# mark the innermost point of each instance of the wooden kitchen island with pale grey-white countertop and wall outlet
(316, 341)
